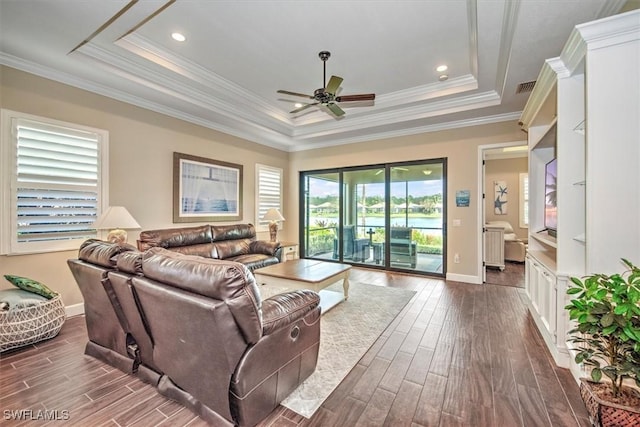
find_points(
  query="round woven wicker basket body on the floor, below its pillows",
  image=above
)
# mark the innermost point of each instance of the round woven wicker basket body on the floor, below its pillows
(23, 326)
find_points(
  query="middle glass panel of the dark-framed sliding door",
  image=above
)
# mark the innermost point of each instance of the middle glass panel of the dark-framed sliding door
(364, 215)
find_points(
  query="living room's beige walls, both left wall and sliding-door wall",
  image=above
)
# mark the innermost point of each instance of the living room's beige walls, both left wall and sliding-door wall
(140, 174)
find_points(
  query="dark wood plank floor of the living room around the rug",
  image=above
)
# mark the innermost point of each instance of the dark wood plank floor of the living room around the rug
(457, 355)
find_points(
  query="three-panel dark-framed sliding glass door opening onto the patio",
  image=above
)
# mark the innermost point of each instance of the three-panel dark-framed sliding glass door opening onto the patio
(383, 216)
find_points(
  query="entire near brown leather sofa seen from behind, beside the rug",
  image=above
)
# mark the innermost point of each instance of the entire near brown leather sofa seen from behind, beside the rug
(197, 328)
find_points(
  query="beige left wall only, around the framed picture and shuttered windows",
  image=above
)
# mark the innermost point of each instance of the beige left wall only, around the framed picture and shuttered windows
(141, 146)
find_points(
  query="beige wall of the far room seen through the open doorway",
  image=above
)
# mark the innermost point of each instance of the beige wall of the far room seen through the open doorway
(508, 170)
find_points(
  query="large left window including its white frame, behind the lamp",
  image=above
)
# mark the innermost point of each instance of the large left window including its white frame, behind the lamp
(56, 185)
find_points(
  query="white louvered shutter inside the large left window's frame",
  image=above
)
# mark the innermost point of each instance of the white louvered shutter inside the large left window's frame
(57, 182)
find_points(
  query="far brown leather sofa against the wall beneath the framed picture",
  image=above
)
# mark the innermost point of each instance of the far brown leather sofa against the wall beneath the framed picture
(235, 242)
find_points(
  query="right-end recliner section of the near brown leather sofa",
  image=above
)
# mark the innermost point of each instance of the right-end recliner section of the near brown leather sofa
(225, 353)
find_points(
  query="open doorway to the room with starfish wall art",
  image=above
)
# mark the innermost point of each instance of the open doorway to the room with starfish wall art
(504, 215)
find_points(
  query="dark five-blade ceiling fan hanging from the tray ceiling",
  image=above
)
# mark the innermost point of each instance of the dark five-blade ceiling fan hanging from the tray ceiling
(326, 95)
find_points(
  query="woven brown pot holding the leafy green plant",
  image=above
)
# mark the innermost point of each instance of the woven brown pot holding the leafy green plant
(607, 414)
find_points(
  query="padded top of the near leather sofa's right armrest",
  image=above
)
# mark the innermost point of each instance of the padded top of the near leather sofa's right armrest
(284, 309)
